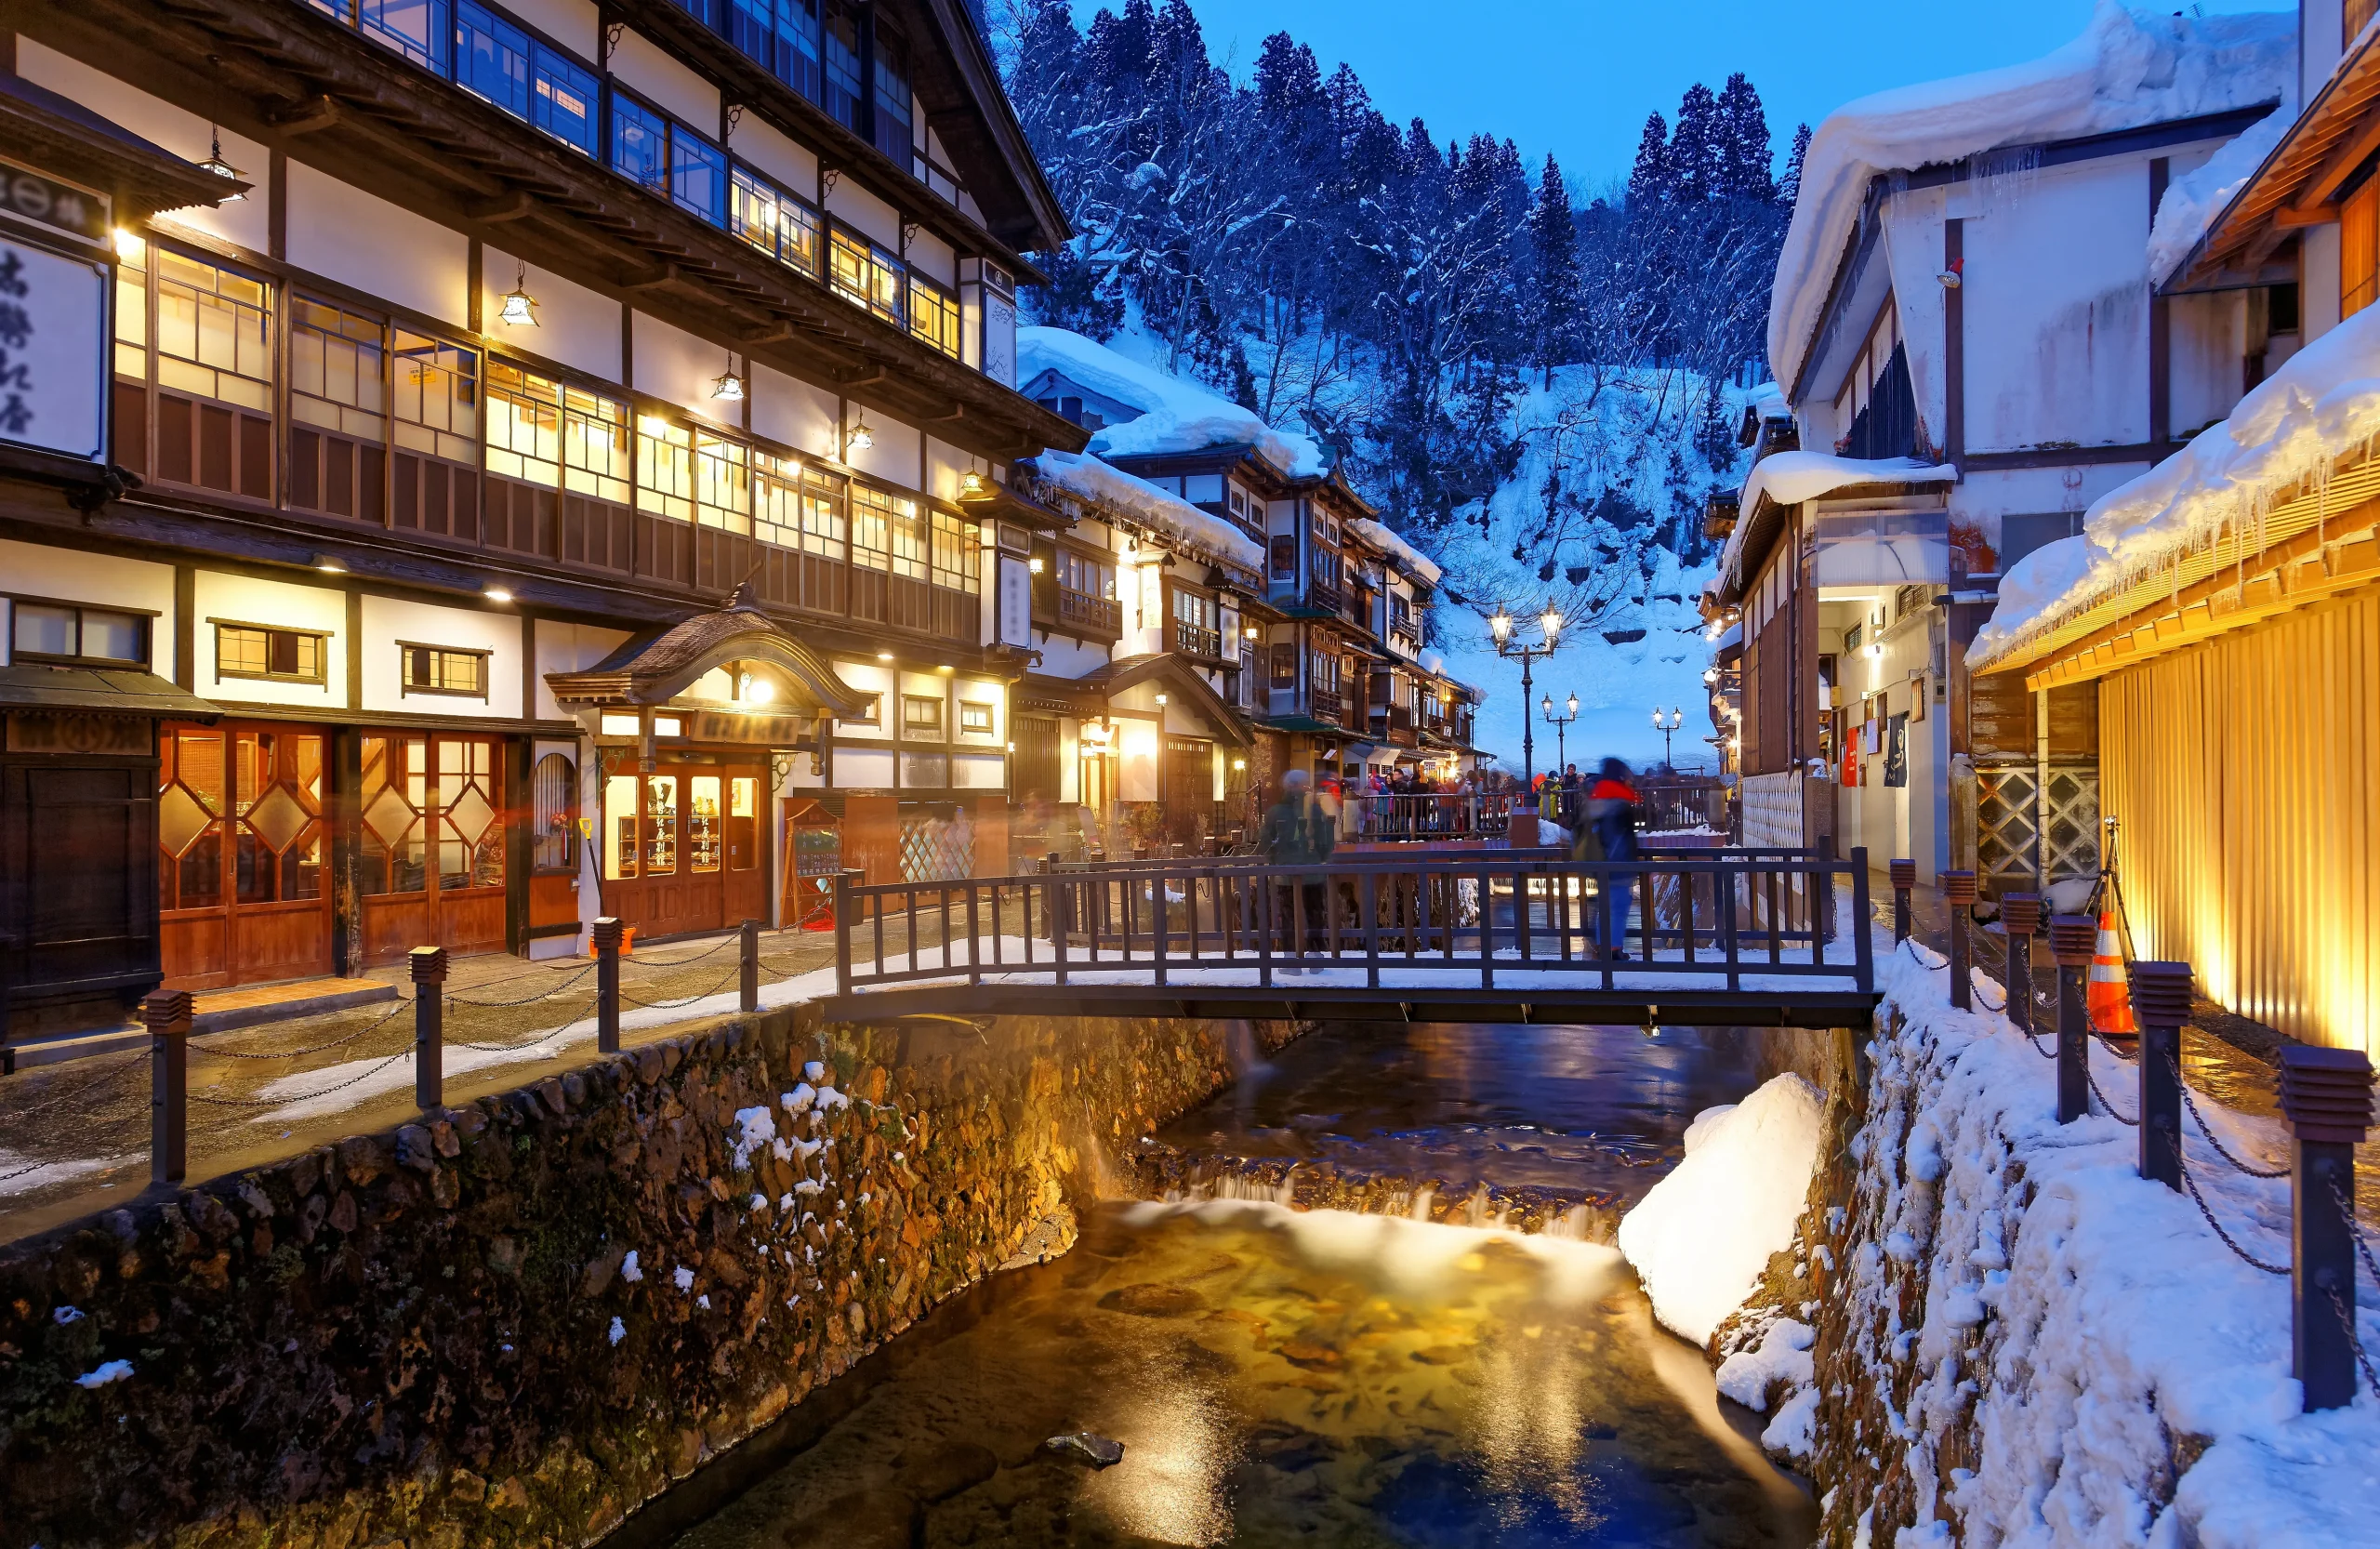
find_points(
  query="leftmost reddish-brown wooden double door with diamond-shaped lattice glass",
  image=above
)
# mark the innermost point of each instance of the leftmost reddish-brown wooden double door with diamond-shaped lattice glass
(242, 841)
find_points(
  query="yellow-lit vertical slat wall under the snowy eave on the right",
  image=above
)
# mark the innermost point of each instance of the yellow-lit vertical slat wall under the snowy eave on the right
(2243, 774)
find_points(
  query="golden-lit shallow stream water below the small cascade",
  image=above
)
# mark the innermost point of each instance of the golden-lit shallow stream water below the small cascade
(1286, 1379)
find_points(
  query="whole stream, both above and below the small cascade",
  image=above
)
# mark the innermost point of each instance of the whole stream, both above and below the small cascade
(1322, 1376)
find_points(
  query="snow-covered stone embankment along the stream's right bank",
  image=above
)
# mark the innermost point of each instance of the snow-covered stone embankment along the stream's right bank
(2048, 1338)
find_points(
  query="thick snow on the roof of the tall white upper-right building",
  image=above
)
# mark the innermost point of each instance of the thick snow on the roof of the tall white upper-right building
(2127, 70)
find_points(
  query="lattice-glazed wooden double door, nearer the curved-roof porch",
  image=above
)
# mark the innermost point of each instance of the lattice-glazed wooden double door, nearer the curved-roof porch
(432, 855)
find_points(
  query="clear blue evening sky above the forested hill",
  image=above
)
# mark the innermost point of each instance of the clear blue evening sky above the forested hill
(1577, 77)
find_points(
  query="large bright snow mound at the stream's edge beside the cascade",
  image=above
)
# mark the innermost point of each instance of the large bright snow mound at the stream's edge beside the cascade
(1703, 1236)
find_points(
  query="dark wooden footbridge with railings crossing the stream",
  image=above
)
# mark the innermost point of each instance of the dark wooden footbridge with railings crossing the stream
(1522, 936)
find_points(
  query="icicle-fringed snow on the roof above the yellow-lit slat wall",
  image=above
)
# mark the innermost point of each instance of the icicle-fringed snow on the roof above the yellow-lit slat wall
(2317, 410)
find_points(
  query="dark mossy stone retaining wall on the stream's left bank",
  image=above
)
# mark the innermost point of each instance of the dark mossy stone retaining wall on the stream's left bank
(522, 1319)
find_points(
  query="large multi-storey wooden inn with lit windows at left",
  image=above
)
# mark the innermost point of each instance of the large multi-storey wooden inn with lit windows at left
(484, 465)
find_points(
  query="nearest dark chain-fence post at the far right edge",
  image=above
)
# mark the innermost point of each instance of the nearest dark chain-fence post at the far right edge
(2329, 1100)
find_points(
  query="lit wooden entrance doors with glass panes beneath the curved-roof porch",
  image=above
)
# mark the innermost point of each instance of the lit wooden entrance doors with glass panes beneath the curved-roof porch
(682, 848)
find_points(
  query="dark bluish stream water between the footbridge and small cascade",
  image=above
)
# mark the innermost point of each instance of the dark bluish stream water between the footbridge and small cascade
(1584, 1110)
